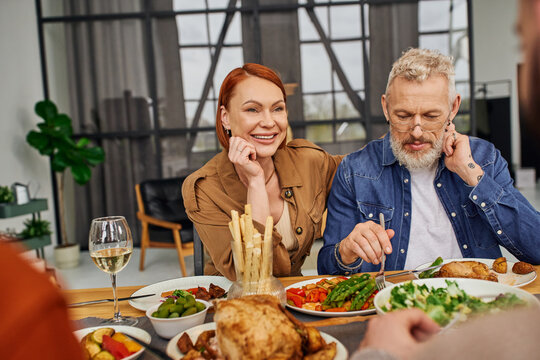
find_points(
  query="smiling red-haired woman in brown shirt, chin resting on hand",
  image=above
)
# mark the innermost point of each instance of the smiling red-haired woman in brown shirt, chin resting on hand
(289, 181)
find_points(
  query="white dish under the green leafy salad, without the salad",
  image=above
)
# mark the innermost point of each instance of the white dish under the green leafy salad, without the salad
(473, 287)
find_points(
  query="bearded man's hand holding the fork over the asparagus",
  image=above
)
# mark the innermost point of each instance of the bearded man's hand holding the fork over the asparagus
(367, 241)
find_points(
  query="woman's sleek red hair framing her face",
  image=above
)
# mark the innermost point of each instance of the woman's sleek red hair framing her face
(227, 90)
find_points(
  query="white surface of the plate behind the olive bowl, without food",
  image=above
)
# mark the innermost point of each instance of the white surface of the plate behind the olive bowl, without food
(174, 284)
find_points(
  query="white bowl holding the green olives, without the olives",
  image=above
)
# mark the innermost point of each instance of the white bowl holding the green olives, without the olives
(167, 328)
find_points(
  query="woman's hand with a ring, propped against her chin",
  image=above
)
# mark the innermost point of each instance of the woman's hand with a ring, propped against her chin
(243, 155)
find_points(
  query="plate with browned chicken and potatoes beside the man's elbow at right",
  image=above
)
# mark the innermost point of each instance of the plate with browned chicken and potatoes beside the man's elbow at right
(498, 270)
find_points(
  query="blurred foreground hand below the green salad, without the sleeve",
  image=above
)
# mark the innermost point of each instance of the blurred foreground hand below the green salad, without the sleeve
(400, 333)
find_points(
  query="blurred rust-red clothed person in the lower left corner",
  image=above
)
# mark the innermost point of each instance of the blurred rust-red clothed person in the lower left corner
(34, 321)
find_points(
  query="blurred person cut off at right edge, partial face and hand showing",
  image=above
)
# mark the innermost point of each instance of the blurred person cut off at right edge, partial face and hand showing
(510, 335)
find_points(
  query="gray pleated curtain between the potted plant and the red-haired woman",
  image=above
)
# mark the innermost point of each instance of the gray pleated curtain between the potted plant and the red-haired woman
(108, 65)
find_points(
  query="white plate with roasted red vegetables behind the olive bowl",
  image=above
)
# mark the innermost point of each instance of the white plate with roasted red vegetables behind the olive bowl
(200, 286)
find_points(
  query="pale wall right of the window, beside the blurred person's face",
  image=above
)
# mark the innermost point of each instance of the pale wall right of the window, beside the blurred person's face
(496, 52)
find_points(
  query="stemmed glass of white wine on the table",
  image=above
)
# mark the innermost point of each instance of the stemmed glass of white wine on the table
(110, 245)
